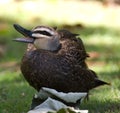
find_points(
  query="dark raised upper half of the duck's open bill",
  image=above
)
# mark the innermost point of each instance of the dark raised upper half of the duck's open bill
(25, 32)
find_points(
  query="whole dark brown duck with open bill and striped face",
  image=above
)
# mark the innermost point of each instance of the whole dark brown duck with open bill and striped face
(56, 59)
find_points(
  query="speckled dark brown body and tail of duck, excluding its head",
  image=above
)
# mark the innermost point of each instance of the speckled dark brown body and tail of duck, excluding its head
(64, 69)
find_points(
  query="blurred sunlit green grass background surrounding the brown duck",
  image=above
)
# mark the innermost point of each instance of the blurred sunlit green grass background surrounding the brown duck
(97, 22)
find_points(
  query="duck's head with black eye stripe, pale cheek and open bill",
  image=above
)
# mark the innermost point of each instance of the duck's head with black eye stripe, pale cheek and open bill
(42, 37)
